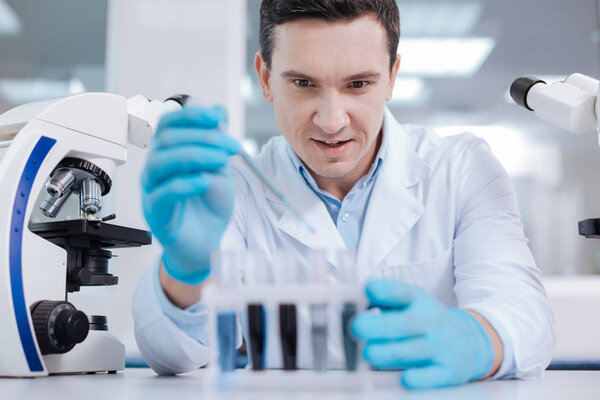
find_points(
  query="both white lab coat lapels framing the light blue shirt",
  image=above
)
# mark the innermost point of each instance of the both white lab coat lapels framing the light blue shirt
(391, 212)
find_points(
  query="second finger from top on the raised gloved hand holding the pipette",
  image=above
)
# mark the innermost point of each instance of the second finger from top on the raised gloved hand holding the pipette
(172, 137)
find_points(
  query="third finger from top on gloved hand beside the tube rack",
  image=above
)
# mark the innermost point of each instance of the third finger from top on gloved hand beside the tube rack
(399, 354)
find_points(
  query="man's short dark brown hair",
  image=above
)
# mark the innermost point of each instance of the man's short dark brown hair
(276, 12)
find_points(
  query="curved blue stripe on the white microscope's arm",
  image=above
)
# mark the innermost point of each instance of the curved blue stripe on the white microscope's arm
(32, 167)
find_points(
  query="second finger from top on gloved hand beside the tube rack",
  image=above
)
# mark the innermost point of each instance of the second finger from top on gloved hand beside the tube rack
(394, 325)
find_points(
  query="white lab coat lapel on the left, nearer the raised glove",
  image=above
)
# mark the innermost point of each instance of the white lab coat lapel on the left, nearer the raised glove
(312, 208)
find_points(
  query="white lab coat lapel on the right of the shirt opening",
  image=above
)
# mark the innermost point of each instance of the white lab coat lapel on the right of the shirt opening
(392, 210)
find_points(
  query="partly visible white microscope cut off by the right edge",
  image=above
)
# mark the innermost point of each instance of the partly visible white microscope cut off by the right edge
(571, 105)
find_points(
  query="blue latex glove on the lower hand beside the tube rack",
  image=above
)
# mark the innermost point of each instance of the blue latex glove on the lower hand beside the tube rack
(436, 346)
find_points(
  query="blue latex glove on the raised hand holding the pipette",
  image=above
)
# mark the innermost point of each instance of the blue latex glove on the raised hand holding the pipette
(187, 190)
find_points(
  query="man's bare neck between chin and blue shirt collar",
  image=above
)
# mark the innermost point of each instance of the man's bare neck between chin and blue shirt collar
(339, 187)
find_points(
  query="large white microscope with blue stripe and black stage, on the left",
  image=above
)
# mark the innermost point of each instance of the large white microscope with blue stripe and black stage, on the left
(50, 152)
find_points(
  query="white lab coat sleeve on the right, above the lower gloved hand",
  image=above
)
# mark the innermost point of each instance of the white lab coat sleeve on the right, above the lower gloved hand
(495, 272)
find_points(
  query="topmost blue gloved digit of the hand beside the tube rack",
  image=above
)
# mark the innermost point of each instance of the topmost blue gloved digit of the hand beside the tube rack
(391, 293)
